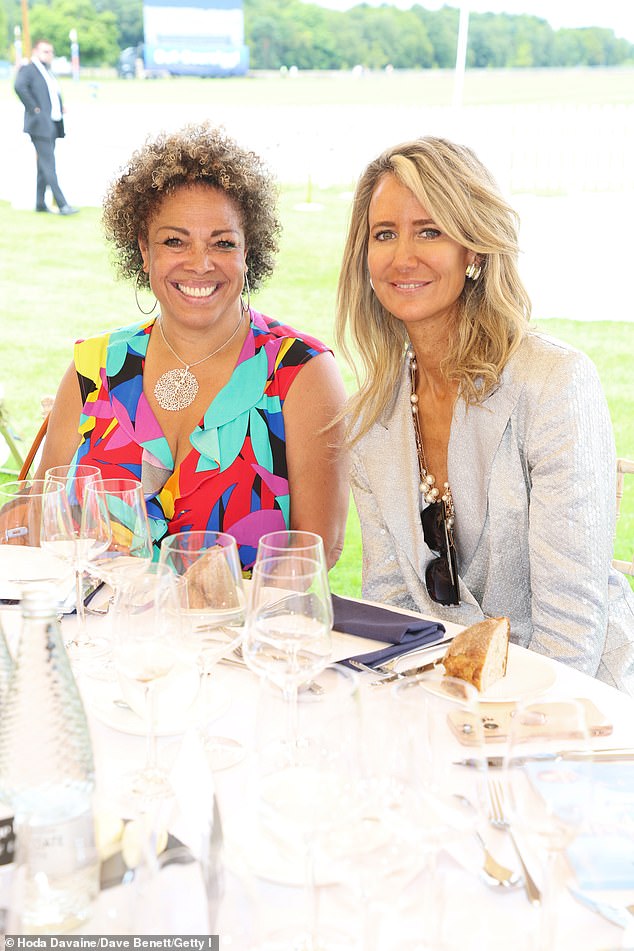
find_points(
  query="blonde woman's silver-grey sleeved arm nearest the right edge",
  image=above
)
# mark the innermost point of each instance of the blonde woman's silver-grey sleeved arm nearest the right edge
(571, 459)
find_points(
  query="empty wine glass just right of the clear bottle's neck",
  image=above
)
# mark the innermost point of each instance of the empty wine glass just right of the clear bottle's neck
(150, 660)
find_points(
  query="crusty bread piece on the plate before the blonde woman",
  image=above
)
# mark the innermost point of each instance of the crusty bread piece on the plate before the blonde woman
(479, 653)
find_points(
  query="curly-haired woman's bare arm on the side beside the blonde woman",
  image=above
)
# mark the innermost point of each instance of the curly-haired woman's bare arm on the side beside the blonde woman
(317, 461)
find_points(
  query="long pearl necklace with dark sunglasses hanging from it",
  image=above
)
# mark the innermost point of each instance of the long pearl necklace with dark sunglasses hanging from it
(437, 518)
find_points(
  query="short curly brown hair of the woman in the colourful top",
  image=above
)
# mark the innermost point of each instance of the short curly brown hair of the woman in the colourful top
(195, 155)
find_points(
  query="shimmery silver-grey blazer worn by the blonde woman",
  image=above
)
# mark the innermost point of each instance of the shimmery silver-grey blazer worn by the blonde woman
(532, 472)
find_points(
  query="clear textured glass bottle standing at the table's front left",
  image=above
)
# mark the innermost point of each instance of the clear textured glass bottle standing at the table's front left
(47, 777)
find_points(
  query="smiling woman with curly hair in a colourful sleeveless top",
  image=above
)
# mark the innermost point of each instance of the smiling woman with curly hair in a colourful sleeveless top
(222, 413)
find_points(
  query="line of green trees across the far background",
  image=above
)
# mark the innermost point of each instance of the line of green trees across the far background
(284, 33)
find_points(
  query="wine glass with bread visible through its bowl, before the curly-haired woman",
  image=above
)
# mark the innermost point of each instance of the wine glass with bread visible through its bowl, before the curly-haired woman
(212, 613)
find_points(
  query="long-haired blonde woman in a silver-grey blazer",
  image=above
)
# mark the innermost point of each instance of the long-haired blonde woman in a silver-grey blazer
(483, 461)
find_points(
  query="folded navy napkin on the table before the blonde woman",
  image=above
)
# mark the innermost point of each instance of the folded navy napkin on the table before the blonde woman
(380, 624)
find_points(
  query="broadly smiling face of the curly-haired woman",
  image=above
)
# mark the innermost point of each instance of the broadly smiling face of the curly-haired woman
(195, 256)
